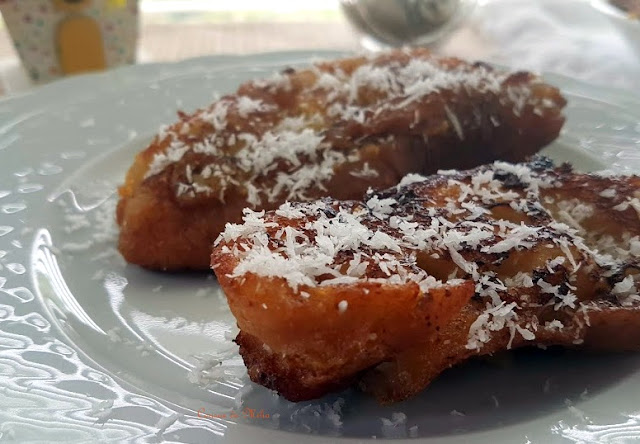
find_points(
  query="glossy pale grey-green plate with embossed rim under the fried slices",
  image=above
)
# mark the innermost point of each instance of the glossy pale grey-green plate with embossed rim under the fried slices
(94, 349)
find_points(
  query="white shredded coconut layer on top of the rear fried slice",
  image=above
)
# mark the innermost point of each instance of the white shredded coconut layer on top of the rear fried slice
(251, 145)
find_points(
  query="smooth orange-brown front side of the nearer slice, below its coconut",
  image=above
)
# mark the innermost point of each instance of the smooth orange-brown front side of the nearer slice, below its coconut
(304, 346)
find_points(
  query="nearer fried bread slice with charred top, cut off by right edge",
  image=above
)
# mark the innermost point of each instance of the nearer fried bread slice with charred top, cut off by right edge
(551, 255)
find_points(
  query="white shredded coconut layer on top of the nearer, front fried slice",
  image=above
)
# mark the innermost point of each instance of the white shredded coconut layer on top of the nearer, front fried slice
(393, 236)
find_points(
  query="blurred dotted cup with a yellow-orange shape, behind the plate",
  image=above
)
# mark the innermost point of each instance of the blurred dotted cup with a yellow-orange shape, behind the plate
(55, 38)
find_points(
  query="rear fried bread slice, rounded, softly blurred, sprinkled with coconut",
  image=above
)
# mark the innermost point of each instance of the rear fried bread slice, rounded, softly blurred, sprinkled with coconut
(334, 129)
